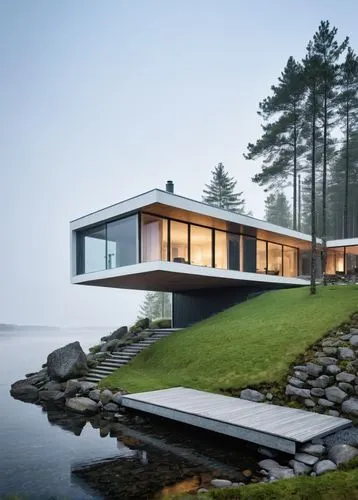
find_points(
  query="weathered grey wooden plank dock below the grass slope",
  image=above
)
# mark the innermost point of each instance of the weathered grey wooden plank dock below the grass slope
(265, 424)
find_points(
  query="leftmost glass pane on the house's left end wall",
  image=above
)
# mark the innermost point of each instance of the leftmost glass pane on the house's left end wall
(91, 250)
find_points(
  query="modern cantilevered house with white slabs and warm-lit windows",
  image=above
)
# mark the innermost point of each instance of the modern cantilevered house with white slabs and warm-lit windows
(209, 258)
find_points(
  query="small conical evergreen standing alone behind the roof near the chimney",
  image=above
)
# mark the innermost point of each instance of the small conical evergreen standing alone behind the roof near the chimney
(220, 192)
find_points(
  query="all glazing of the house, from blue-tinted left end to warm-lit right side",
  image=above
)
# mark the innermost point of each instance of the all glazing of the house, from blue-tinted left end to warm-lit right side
(115, 244)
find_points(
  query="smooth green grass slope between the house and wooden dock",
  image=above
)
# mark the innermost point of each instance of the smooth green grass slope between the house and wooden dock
(251, 343)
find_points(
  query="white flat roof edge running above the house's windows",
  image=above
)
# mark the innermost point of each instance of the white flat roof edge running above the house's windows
(173, 200)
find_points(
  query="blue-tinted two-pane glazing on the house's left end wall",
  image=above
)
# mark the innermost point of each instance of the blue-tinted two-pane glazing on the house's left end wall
(107, 246)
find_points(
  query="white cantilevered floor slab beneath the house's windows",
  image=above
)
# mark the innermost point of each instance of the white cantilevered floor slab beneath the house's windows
(174, 277)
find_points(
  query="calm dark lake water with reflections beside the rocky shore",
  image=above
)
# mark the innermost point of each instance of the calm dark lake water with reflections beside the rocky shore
(39, 449)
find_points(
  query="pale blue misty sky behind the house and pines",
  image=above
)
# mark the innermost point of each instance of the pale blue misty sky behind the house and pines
(103, 100)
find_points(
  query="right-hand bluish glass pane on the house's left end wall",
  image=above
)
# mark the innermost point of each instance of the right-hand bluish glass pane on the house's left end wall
(122, 242)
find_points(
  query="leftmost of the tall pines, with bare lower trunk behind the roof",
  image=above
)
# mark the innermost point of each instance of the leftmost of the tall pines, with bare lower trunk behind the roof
(280, 145)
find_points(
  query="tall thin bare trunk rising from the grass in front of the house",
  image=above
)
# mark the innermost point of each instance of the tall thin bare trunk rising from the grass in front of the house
(313, 195)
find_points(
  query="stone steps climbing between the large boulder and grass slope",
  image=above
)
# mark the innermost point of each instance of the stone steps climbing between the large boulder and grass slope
(120, 358)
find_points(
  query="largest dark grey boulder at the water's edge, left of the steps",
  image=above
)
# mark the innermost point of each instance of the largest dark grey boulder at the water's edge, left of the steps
(67, 362)
